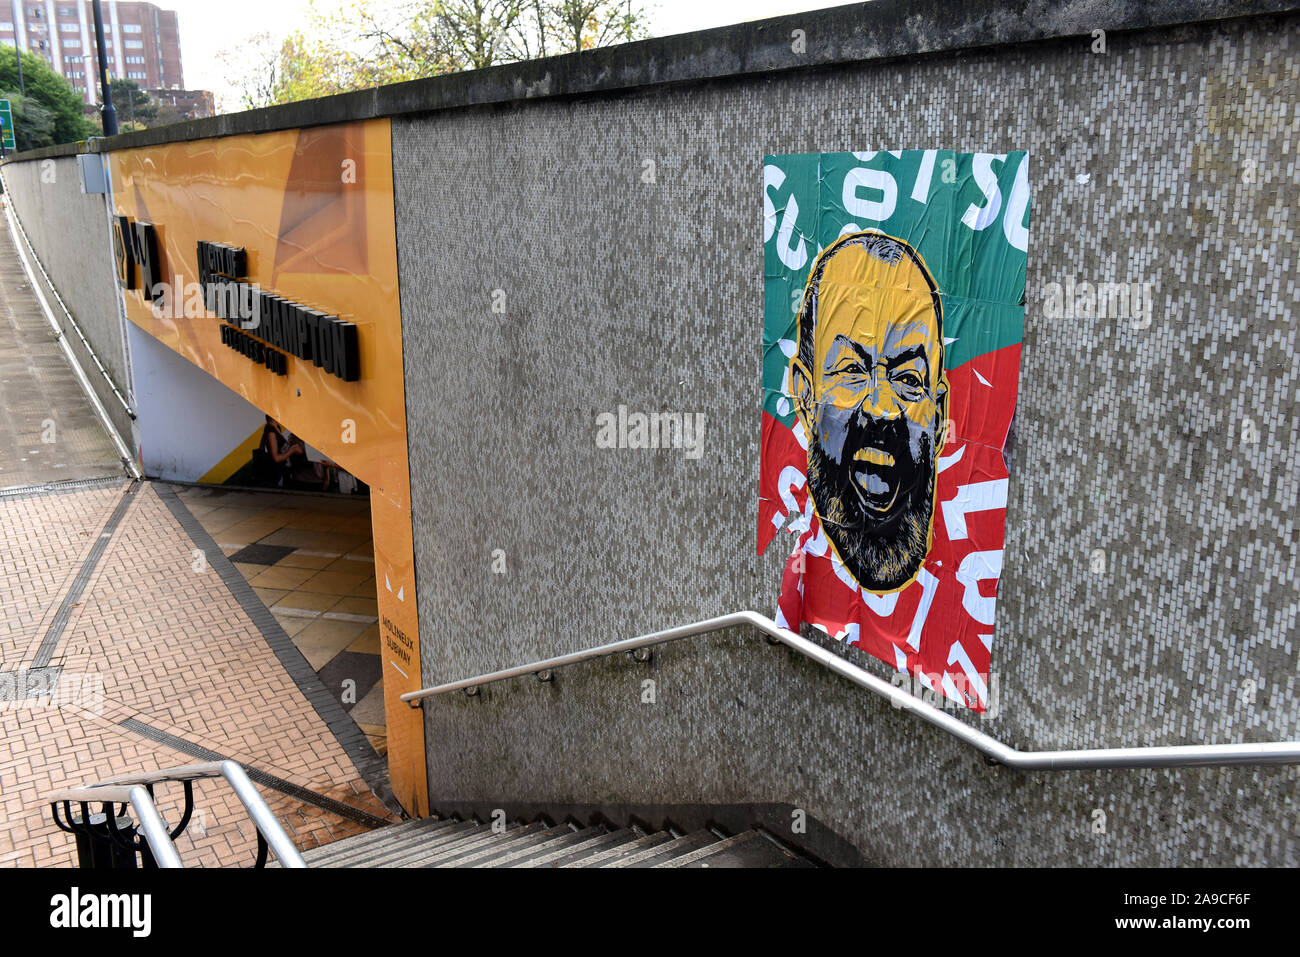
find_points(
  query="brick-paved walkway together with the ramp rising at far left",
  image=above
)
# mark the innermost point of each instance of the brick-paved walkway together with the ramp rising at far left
(158, 649)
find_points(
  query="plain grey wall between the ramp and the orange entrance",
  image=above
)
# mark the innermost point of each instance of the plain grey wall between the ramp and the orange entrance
(70, 232)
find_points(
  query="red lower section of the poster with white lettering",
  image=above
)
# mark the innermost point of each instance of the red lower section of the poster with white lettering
(941, 627)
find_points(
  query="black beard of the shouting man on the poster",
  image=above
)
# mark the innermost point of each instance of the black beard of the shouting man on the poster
(881, 555)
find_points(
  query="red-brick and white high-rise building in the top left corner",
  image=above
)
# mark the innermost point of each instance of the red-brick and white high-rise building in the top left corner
(141, 41)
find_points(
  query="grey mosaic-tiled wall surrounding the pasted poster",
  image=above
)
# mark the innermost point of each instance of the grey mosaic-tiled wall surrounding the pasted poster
(1150, 591)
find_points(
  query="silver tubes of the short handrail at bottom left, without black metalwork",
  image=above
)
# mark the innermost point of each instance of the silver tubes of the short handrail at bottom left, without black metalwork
(133, 789)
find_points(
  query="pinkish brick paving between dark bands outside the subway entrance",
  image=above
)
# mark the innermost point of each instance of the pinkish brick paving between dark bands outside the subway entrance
(174, 649)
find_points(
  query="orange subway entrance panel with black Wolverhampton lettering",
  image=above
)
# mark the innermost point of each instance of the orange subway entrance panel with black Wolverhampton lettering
(313, 214)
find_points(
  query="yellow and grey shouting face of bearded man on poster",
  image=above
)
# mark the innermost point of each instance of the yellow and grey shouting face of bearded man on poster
(874, 408)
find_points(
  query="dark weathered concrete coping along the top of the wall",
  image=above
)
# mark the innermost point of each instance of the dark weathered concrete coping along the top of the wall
(840, 36)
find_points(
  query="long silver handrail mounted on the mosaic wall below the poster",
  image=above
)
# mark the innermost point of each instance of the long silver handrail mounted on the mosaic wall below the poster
(998, 752)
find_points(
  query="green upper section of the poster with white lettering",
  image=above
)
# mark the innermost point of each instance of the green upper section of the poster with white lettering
(965, 214)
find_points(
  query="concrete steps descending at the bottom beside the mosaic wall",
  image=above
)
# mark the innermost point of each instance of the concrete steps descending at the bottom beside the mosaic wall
(449, 843)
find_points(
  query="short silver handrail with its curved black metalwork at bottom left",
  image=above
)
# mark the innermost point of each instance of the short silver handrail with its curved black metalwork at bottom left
(158, 847)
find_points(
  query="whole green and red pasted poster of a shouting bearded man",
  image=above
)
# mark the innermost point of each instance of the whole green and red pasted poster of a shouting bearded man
(892, 327)
